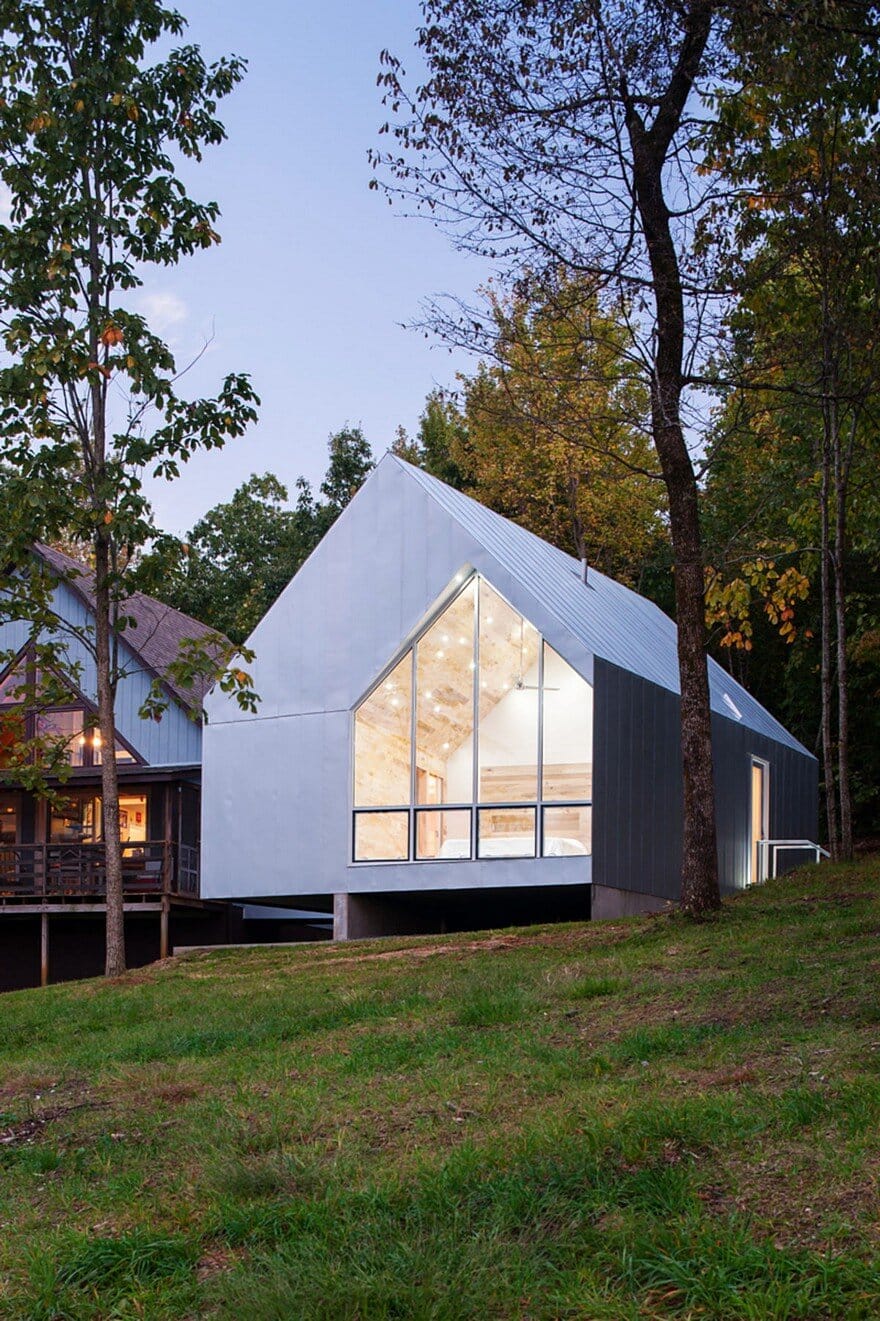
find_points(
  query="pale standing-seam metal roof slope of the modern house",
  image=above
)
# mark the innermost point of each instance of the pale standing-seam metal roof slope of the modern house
(615, 623)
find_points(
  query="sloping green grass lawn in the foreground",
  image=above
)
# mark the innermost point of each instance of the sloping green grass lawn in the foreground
(631, 1120)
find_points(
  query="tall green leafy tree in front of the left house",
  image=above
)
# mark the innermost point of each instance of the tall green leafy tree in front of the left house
(91, 133)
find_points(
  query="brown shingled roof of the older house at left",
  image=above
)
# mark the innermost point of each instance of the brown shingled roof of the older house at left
(158, 629)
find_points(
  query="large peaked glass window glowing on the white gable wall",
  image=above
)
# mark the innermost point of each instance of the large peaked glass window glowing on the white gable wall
(501, 763)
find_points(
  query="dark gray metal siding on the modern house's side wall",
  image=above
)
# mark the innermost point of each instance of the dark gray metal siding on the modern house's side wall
(638, 788)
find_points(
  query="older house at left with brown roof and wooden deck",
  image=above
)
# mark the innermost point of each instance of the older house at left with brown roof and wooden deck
(52, 863)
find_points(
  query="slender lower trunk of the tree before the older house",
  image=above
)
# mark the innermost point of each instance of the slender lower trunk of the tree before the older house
(116, 962)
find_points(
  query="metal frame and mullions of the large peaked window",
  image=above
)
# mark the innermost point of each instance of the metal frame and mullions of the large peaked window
(460, 585)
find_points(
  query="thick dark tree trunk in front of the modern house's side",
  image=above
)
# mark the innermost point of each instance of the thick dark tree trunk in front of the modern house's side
(700, 853)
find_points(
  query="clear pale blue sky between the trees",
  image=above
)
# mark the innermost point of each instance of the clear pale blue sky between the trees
(315, 273)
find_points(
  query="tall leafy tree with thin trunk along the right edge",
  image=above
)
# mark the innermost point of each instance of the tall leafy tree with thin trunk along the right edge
(800, 147)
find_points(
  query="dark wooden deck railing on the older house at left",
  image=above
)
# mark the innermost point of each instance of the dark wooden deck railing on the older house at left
(60, 873)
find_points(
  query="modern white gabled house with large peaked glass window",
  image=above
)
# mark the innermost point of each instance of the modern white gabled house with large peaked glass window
(460, 727)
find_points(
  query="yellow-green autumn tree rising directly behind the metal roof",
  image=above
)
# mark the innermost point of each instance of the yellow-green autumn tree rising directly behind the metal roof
(558, 437)
